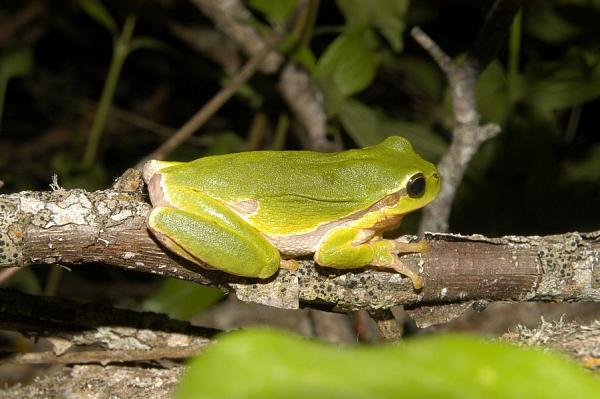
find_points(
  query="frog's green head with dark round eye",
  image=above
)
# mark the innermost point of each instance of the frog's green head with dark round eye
(417, 181)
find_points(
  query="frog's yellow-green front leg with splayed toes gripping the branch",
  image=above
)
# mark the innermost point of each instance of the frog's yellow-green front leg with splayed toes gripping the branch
(350, 247)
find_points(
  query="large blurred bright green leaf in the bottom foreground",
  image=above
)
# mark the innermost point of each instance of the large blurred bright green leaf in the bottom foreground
(268, 364)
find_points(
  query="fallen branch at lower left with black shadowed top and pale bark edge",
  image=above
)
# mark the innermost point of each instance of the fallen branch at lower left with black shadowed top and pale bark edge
(97, 333)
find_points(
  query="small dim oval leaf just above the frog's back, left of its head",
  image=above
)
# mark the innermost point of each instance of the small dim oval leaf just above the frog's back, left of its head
(360, 122)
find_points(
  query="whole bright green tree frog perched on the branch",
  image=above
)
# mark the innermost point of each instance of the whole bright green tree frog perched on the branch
(241, 213)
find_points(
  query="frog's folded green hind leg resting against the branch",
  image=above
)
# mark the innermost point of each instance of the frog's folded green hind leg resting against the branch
(208, 233)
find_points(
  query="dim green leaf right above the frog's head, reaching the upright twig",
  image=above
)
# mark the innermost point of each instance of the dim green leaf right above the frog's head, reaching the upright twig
(425, 141)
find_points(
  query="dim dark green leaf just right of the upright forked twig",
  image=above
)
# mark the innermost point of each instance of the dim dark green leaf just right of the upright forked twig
(493, 102)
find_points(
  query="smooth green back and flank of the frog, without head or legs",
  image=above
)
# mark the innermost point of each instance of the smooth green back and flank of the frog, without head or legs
(295, 190)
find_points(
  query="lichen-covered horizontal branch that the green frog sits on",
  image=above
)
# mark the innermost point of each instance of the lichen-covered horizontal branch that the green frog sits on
(76, 227)
